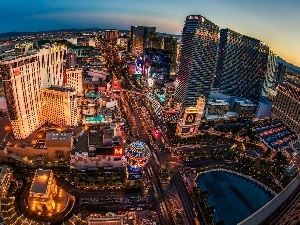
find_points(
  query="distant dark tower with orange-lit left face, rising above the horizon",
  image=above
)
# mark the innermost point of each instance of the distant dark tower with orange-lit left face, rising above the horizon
(139, 39)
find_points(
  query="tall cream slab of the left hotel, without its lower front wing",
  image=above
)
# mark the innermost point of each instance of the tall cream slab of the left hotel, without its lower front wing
(24, 79)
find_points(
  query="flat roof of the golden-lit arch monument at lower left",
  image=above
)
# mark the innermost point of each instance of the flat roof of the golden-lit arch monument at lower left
(40, 181)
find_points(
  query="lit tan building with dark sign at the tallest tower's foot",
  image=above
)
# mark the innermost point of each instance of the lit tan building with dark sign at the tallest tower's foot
(188, 125)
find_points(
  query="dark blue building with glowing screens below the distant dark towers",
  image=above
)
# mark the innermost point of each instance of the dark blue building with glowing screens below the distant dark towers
(157, 64)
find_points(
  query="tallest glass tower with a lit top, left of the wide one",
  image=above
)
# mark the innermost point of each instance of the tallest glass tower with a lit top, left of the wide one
(197, 60)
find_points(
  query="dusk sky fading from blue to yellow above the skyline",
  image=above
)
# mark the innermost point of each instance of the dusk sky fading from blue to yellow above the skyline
(275, 22)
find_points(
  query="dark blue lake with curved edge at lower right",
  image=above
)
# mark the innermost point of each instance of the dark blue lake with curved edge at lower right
(234, 197)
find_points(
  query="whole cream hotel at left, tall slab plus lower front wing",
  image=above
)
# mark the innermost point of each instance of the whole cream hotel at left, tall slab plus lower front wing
(33, 82)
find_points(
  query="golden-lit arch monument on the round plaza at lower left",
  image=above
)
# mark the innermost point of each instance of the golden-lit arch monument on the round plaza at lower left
(43, 190)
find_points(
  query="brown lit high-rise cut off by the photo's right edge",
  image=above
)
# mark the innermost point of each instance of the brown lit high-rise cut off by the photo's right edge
(286, 106)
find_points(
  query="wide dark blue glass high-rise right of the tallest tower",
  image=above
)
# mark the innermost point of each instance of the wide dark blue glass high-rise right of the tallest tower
(245, 68)
